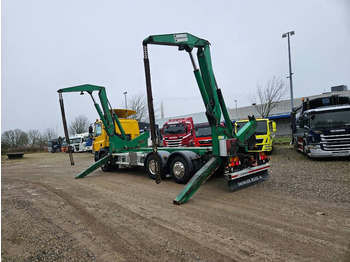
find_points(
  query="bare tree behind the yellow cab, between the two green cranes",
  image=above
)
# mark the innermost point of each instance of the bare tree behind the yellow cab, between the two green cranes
(139, 104)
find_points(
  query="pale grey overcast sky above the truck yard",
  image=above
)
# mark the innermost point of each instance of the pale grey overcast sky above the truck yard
(48, 45)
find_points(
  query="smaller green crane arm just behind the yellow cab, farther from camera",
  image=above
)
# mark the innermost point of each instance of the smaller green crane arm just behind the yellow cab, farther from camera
(105, 114)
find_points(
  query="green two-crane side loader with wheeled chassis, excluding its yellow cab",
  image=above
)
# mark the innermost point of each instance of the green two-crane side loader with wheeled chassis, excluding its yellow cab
(191, 165)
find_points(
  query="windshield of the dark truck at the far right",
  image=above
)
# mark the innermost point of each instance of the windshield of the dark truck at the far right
(330, 119)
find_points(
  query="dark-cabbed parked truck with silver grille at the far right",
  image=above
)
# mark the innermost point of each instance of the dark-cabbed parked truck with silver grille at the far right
(321, 126)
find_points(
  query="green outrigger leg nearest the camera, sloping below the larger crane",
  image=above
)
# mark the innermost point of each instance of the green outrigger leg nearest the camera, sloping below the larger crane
(197, 180)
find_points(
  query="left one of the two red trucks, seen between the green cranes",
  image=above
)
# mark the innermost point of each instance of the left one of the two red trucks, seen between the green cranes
(178, 132)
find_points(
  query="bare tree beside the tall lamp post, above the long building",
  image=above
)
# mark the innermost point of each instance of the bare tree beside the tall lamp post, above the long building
(267, 97)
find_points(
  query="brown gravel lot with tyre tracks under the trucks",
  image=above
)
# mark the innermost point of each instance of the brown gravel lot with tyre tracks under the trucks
(301, 214)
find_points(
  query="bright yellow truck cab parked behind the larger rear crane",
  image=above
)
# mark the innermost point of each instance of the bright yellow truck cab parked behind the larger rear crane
(264, 133)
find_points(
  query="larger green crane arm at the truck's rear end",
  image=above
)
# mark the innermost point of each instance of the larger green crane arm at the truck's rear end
(211, 94)
